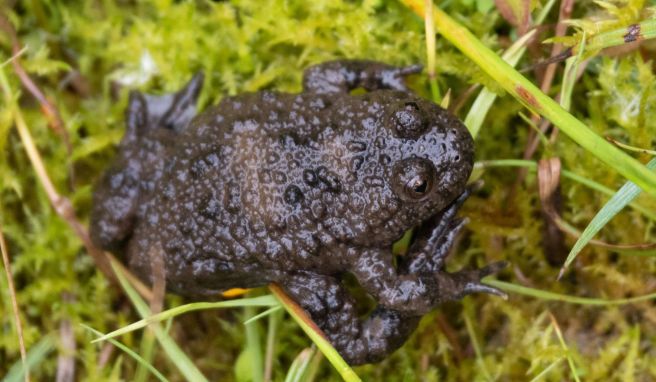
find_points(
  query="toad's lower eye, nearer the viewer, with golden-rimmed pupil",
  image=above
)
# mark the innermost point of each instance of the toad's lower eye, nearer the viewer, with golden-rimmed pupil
(413, 179)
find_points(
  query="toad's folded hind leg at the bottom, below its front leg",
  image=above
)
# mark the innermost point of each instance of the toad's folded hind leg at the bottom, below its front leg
(332, 308)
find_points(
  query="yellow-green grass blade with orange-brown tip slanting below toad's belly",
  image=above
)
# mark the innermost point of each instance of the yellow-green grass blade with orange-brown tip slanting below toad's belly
(315, 334)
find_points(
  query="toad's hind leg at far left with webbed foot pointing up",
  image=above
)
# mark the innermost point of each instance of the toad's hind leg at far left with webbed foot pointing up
(152, 122)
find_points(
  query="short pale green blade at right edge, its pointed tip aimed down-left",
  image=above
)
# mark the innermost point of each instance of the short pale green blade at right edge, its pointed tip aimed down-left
(621, 199)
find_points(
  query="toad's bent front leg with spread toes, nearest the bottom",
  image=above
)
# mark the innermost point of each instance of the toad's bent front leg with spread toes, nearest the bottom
(420, 282)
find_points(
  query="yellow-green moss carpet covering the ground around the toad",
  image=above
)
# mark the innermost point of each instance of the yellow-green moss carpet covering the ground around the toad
(86, 55)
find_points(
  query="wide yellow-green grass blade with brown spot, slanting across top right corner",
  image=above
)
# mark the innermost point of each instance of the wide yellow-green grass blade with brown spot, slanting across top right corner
(529, 95)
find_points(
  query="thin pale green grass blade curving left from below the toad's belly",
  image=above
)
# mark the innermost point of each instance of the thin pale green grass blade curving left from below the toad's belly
(266, 301)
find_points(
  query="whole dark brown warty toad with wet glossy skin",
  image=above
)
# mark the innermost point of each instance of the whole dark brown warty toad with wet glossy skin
(297, 189)
